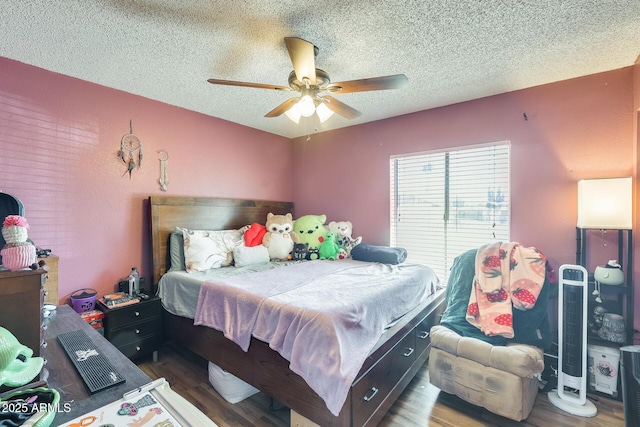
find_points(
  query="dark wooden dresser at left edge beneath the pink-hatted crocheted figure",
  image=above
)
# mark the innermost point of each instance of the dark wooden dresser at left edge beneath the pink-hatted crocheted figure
(21, 295)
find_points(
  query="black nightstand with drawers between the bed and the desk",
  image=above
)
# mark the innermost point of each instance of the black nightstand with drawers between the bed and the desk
(136, 329)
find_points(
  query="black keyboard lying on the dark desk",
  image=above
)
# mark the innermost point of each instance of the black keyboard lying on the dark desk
(94, 368)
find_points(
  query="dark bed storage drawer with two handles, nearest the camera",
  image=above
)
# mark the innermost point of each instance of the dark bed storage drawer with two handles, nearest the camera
(371, 389)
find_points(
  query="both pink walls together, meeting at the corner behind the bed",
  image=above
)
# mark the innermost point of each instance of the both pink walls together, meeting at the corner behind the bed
(59, 137)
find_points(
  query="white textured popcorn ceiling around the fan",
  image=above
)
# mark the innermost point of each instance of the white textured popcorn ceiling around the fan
(450, 50)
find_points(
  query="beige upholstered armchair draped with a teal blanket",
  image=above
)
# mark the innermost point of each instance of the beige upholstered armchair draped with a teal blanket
(499, 374)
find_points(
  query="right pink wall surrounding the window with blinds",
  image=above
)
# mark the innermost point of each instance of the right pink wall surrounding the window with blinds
(581, 128)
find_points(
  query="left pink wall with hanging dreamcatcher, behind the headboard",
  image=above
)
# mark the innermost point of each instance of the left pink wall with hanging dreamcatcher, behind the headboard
(59, 137)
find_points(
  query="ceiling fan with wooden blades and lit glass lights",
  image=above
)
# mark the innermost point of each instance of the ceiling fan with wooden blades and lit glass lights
(315, 87)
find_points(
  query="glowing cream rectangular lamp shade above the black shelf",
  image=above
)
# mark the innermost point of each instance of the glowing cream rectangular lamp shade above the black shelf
(605, 203)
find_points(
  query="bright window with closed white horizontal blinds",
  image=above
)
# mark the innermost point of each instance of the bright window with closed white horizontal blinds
(446, 202)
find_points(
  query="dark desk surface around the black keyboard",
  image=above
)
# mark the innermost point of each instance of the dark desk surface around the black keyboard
(64, 377)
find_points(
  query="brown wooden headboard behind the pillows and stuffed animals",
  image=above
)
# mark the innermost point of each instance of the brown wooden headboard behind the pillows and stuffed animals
(202, 213)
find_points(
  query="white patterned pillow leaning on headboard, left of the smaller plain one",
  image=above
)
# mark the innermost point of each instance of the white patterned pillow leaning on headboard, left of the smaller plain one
(206, 249)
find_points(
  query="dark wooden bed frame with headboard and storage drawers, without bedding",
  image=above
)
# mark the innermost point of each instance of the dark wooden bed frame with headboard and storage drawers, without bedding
(385, 371)
